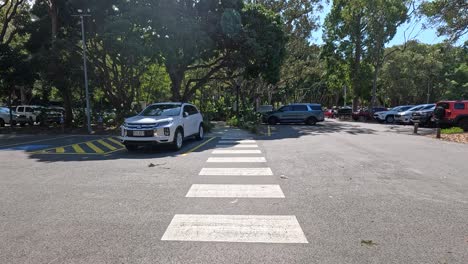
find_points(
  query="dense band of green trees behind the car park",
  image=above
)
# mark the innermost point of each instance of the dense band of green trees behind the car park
(227, 56)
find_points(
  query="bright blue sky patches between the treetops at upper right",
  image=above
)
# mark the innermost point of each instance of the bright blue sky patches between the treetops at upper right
(413, 30)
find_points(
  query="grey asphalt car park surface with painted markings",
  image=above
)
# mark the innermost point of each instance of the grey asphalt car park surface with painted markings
(337, 192)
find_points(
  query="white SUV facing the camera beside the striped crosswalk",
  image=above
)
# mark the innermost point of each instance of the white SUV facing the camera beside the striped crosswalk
(162, 123)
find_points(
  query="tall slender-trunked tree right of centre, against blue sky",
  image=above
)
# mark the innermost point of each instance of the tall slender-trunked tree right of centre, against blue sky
(359, 29)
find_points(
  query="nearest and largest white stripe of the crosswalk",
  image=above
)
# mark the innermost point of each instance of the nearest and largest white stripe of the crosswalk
(235, 228)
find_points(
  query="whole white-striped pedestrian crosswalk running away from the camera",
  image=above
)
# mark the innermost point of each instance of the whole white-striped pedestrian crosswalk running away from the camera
(235, 228)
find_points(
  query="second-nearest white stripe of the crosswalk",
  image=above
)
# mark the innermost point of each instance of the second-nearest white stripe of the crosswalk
(235, 191)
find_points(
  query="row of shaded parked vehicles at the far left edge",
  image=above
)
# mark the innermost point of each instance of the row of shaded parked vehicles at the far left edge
(31, 114)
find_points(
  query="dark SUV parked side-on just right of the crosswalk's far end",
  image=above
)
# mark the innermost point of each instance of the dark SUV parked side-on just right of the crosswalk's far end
(296, 113)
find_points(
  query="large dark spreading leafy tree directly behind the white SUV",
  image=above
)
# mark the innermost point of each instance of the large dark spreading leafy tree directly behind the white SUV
(212, 40)
